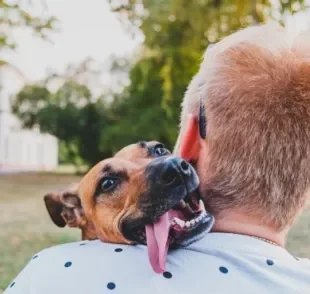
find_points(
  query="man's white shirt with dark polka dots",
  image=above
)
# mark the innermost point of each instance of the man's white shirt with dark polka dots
(218, 263)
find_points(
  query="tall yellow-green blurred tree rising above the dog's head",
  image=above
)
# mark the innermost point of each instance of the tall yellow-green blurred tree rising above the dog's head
(176, 32)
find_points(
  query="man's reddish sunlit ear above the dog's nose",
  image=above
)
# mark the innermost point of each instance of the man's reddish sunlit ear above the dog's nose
(190, 143)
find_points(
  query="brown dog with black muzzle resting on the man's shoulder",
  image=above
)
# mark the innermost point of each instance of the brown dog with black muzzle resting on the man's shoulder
(141, 195)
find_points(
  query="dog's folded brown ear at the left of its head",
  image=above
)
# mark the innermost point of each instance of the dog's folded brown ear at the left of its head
(65, 207)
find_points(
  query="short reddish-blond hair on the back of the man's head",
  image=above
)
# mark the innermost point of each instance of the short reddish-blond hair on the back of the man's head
(256, 93)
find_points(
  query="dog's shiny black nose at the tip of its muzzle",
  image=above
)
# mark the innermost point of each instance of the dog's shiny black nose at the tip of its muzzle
(173, 170)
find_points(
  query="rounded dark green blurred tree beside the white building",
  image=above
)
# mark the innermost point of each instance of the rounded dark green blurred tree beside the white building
(69, 114)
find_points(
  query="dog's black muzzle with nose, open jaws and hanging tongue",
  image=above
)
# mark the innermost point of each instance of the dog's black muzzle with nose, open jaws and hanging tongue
(172, 213)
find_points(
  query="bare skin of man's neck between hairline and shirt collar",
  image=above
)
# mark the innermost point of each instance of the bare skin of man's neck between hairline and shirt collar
(238, 223)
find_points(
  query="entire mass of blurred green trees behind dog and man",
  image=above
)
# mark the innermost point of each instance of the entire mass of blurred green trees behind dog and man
(176, 34)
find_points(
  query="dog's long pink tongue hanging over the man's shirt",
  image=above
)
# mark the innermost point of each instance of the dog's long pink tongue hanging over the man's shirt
(157, 242)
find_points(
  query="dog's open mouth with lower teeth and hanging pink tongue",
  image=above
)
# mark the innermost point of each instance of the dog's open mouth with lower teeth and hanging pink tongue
(179, 226)
